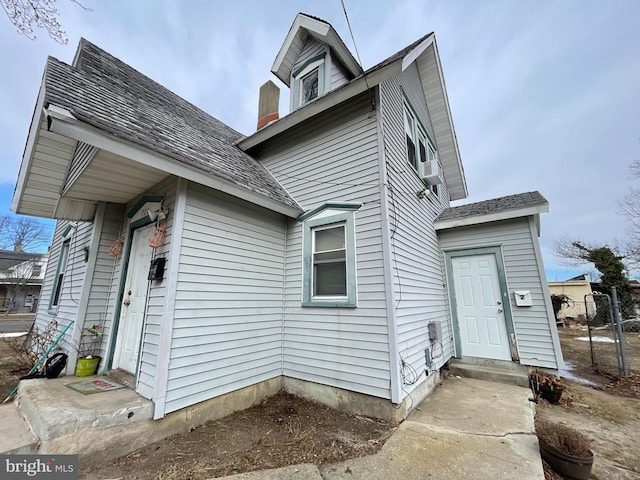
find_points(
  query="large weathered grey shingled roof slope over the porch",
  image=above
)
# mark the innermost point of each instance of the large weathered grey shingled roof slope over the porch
(106, 93)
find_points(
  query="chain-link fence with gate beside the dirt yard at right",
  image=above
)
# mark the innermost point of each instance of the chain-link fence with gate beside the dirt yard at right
(612, 324)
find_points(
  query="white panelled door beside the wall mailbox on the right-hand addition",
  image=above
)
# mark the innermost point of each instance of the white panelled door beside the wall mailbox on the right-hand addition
(480, 312)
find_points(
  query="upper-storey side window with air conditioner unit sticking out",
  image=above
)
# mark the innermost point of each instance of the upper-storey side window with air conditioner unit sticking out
(421, 152)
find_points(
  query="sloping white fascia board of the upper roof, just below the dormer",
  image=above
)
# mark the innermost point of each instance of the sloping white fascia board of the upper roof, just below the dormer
(320, 105)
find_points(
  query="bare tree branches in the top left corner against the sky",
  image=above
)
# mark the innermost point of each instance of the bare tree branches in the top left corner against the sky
(25, 14)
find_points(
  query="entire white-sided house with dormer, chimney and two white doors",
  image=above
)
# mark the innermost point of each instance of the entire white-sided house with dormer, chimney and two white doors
(319, 254)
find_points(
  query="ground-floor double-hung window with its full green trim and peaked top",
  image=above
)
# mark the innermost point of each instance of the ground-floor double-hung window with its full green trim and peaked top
(329, 262)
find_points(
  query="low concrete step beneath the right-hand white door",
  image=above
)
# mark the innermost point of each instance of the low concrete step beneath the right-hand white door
(492, 370)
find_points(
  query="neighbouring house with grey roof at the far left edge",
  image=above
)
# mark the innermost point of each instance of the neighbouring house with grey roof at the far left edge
(21, 275)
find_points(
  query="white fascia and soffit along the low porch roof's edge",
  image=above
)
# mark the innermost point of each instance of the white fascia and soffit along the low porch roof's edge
(49, 195)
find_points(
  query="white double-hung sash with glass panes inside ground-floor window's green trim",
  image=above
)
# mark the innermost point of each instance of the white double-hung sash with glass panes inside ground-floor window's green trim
(329, 261)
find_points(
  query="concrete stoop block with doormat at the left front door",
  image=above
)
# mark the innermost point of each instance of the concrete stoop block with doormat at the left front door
(57, 410)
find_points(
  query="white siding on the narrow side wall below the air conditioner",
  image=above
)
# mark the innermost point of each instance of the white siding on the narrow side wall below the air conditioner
(418, 275)
